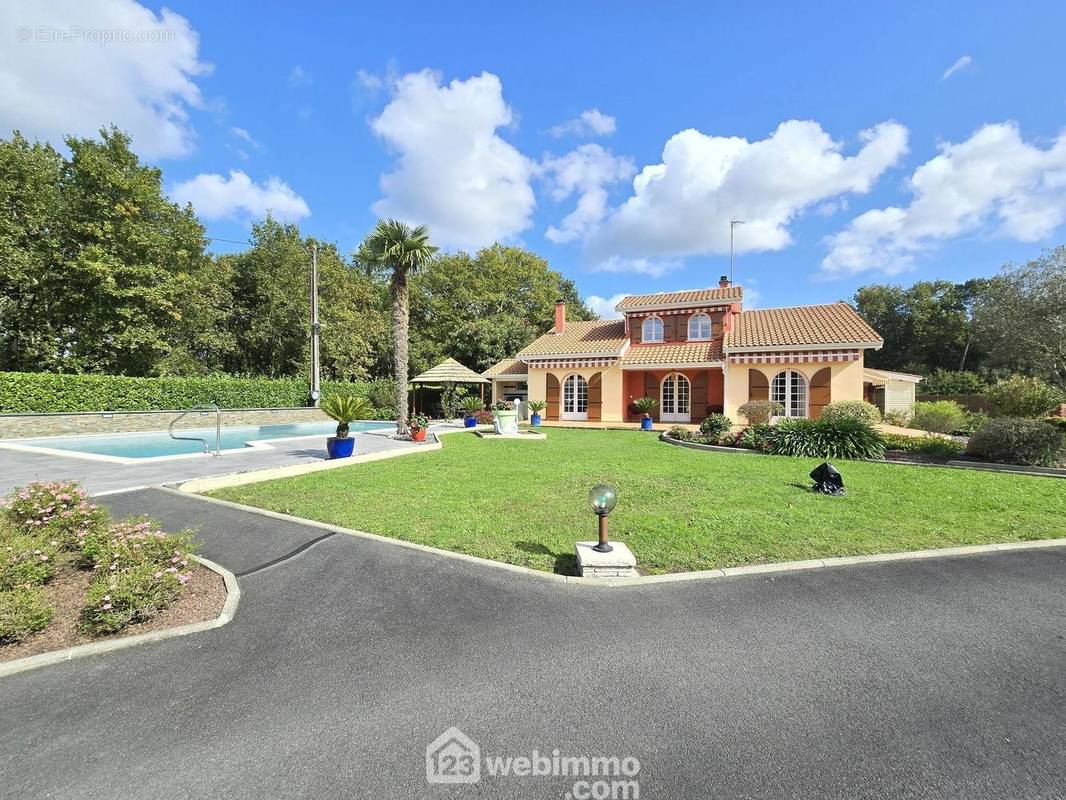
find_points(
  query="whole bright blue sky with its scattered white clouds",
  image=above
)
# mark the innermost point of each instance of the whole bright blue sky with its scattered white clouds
(842, 134)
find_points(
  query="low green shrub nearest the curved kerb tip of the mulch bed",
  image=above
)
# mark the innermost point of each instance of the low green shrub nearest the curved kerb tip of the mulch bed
(123, 598)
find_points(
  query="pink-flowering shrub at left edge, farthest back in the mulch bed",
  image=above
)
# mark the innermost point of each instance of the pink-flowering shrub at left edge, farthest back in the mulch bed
(58, 510)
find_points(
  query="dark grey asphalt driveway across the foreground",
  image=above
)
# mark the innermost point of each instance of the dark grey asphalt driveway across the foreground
(911, 680)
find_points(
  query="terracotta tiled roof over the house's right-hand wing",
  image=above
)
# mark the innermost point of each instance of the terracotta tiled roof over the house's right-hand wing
(811, 325)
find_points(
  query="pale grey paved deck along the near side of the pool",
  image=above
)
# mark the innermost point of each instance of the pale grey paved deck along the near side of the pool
(19, 468)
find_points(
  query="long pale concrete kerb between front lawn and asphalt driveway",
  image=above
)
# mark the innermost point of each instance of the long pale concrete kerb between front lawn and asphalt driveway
(729, 572)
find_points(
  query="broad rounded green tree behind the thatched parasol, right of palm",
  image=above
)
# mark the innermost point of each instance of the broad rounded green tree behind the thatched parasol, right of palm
(481, 309)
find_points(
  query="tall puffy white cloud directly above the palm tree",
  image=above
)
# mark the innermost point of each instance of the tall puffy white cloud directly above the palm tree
(455, 173)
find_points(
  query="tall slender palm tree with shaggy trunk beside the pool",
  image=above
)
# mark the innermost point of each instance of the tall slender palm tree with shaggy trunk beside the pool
(401, 250)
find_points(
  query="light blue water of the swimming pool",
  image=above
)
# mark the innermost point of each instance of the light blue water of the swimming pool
(159, 443)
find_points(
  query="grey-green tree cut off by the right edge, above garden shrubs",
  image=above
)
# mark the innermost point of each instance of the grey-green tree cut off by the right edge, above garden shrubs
(1021, 317)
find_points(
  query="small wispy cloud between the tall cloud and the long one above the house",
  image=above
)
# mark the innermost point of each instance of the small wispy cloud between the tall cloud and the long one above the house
(587, 171)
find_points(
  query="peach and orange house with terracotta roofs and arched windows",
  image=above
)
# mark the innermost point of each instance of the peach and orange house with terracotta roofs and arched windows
(697, 353)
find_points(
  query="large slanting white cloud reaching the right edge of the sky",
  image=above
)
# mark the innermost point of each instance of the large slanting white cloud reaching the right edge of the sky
(994, 182)
